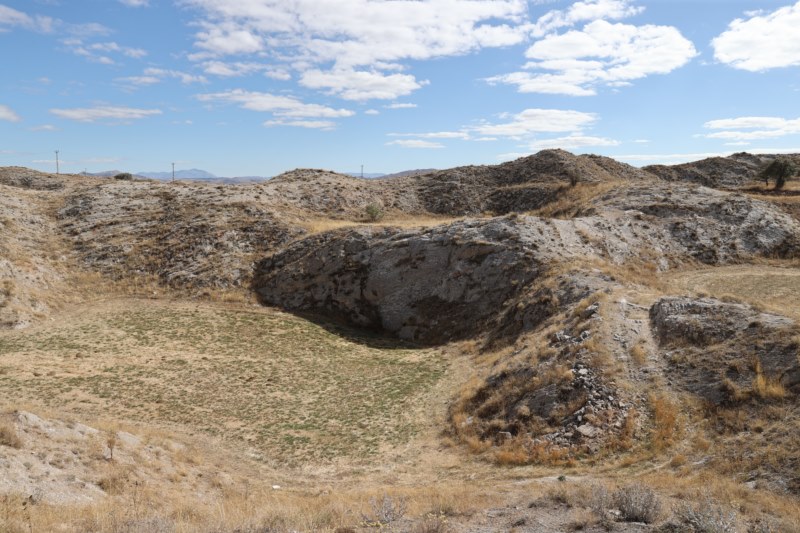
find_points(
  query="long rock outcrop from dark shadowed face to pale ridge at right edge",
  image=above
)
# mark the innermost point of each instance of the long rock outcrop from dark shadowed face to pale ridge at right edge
(448, 282)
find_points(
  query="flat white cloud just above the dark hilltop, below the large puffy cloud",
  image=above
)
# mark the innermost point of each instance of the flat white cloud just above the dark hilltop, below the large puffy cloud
(534, 120)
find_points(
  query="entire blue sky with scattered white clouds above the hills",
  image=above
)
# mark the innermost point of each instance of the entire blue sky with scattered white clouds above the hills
(257, 87)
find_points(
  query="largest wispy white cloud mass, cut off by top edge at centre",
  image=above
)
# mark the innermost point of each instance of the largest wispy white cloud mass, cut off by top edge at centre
(354, 48)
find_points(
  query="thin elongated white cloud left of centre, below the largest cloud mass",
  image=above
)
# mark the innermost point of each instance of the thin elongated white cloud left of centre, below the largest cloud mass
(280, 106)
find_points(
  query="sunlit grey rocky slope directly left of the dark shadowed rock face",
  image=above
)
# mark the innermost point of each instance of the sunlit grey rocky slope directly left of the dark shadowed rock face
(187, 237)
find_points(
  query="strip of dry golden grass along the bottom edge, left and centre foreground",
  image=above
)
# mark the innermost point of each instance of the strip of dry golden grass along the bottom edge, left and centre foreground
(136, 507)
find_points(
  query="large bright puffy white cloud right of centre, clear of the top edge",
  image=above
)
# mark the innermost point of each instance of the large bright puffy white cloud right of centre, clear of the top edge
(576, 62)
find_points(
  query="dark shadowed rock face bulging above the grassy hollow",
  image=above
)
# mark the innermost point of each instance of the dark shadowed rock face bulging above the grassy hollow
(428, 285)
